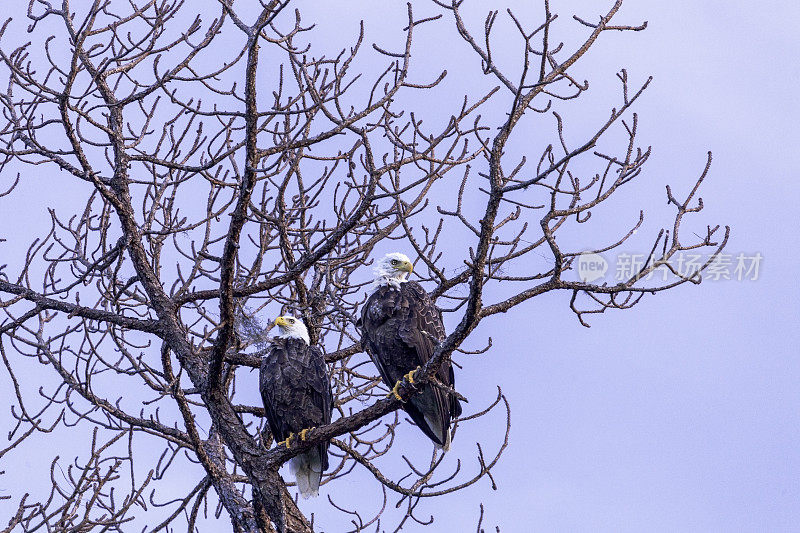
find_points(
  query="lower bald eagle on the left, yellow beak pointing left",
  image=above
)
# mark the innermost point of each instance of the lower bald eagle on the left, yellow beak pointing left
(297, 396)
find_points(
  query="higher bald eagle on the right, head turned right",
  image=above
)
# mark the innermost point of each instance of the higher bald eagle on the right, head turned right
(400, 330)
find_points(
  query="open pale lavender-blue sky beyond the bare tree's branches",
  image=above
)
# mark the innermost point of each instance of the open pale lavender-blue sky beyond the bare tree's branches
(682, 414)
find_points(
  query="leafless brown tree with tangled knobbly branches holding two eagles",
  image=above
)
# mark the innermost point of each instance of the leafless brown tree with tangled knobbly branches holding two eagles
(222, 172)
